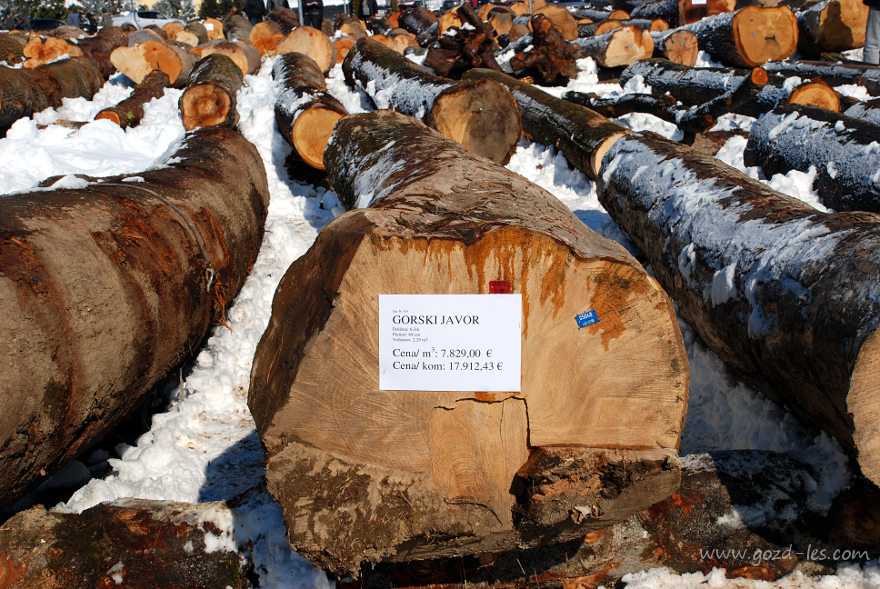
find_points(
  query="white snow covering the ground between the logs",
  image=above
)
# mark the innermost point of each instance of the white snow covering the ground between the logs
(204, 446)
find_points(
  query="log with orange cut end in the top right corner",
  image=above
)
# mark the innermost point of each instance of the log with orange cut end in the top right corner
(831, 26)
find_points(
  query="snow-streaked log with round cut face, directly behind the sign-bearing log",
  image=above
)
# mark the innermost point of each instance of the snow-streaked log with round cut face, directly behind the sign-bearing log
(482, 117)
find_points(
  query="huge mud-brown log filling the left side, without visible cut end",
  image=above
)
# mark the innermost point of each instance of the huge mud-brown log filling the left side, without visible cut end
(108, 288)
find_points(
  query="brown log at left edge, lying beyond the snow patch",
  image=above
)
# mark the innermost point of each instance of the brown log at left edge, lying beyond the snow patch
(24, 92)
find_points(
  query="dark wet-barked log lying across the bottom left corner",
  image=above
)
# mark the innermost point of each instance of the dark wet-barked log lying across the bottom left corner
(132, 543)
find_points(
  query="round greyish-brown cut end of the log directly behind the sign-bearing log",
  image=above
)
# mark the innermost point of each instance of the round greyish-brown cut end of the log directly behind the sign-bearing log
(481, 115)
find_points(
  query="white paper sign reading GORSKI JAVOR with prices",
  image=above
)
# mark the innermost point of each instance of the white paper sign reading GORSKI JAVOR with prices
(450, 342)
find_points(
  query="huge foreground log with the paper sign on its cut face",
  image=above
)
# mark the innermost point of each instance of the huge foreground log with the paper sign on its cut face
(431, 473)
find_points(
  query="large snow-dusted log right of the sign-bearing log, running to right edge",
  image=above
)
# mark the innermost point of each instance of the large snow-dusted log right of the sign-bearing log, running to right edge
(786, 296)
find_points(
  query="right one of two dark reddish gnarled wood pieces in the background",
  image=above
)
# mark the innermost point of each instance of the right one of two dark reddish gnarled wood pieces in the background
(552, 60)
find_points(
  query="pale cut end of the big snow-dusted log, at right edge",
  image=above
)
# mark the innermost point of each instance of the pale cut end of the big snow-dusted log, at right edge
(863, 403)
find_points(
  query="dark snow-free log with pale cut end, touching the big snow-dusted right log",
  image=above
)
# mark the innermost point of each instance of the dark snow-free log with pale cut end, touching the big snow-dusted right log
(581, 134)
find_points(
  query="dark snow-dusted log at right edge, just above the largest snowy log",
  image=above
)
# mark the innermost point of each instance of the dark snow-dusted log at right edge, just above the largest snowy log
(843, 150)
